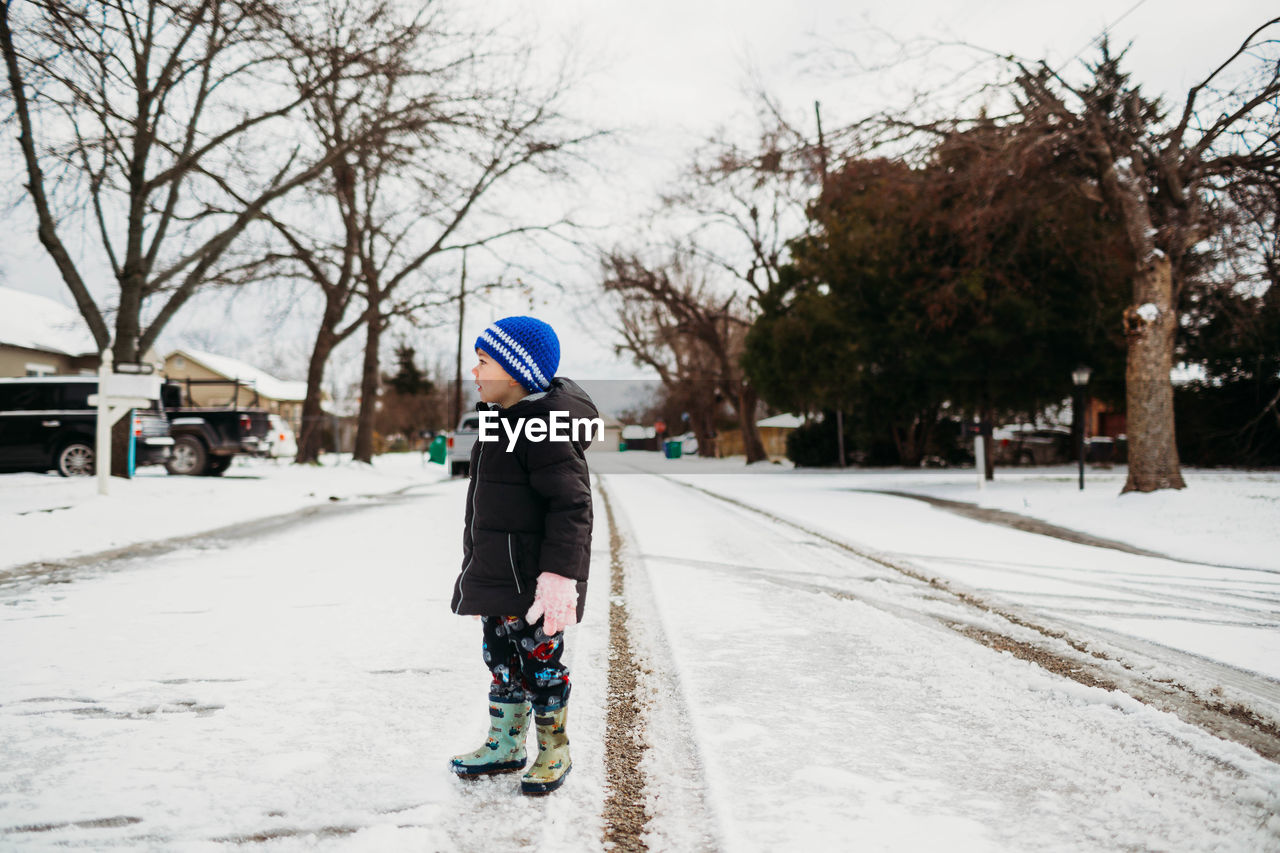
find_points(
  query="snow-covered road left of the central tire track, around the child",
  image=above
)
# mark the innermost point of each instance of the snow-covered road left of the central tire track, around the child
(305, 687)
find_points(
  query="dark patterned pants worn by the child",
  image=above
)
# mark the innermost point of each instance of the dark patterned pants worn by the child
(525, 663)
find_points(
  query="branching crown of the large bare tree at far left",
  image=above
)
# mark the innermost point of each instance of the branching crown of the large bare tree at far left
(168, 122)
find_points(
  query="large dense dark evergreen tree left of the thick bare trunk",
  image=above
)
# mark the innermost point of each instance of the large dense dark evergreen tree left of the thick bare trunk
(973, 284)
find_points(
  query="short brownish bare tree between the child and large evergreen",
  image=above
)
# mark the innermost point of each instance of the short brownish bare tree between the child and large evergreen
(673, 320)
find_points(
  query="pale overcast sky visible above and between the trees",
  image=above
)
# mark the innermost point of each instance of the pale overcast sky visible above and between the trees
(668, 74)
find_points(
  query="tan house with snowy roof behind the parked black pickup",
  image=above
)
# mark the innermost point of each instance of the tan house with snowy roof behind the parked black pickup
(211, 380)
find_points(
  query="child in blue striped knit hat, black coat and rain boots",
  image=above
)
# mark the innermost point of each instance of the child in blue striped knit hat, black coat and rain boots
(527, 548)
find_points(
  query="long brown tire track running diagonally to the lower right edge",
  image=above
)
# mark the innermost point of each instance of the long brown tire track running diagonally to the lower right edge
(1059, 651)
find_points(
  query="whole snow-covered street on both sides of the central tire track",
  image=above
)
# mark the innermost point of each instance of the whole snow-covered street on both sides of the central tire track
(305, 687)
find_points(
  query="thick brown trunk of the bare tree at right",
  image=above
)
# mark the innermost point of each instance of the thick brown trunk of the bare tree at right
(1151, 325)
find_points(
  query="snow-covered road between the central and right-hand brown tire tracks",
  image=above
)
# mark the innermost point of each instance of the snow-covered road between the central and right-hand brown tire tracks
(860, 715)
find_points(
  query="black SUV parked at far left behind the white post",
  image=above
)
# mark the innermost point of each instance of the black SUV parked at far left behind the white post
(47, 423)
